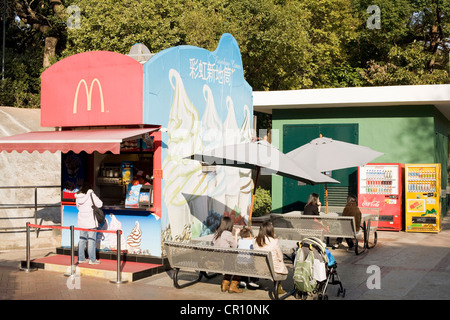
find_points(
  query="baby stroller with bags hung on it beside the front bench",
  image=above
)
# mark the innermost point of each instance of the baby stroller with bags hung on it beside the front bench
(314, 269)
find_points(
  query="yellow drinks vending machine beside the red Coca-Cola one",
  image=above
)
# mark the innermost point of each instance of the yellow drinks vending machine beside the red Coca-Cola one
(422, 197)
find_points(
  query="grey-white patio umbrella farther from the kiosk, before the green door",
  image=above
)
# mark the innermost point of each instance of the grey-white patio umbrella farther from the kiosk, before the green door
(326, 154)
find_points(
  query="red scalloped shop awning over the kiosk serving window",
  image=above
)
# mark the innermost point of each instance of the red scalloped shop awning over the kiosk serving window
(100, 140)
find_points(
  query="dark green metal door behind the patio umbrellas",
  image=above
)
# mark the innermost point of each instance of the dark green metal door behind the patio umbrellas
(296, 194)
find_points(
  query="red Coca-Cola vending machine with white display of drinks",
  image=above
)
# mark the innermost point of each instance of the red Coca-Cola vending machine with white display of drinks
(380, 186)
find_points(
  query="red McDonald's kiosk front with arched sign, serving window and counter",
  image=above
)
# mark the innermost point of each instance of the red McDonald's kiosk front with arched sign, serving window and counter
(99, 109)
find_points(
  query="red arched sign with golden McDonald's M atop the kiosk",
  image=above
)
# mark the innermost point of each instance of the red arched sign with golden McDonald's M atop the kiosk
(97, 88)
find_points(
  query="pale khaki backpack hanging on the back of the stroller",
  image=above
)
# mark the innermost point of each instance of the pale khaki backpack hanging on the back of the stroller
(303, 276)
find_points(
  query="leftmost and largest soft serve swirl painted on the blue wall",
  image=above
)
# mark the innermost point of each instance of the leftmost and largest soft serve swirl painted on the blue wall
(184, 180)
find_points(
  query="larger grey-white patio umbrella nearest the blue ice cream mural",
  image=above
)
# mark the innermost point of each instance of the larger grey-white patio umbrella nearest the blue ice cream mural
(261, 155)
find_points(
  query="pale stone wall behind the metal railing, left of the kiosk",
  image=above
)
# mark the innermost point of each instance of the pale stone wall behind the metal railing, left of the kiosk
(27, 169)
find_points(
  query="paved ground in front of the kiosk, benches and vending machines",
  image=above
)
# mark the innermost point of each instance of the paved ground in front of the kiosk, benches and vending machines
(403, 266)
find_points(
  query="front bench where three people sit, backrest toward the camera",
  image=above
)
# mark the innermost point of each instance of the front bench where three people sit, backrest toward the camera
(204, 259)
